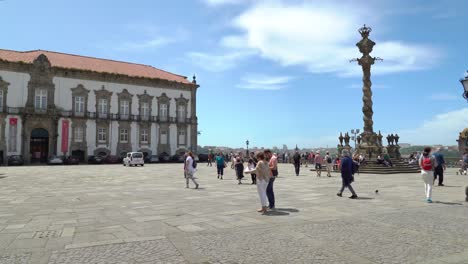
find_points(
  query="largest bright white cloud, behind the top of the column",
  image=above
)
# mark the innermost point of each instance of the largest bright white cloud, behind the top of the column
(322, 38)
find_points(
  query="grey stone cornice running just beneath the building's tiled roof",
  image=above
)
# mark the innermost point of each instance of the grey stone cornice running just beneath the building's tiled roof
(99, 76)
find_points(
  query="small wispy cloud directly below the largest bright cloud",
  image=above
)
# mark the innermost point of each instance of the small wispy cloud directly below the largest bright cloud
(264, 82)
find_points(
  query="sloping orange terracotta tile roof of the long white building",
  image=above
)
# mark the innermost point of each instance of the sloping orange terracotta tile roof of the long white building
(70, 61)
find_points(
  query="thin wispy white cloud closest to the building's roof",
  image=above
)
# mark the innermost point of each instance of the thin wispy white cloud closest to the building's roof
(217, 63)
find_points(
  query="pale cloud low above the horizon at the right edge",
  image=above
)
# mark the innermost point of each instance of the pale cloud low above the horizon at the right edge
(441, 129)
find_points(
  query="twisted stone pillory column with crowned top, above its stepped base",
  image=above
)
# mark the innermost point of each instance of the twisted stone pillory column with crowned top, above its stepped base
(369, 138)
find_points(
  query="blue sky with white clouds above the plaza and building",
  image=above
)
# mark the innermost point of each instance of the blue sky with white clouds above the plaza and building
(275, 72)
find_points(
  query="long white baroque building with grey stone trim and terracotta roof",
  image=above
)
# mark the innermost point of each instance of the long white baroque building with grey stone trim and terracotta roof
(53, 103)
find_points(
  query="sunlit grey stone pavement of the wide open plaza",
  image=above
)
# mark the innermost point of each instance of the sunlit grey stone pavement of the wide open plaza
(114, 214)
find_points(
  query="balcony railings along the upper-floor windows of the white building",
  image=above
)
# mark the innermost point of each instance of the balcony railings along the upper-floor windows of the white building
(108, 116)
